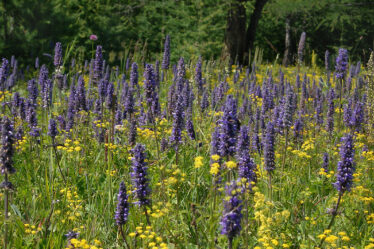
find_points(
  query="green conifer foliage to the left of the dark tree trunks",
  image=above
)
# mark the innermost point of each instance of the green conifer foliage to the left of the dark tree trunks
(120, 26)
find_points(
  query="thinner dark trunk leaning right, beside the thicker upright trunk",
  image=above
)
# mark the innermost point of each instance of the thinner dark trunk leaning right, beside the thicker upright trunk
(251, 30)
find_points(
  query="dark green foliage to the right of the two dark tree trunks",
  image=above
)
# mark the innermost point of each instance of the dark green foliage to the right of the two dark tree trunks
(328, 24)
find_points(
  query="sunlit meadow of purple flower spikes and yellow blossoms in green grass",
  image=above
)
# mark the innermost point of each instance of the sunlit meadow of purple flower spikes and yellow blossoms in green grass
(194, 155)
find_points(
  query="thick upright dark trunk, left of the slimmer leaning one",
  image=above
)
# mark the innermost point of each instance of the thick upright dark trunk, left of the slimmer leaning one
(235, 31)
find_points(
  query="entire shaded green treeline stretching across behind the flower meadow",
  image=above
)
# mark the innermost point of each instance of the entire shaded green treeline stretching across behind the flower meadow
(30, 28)
